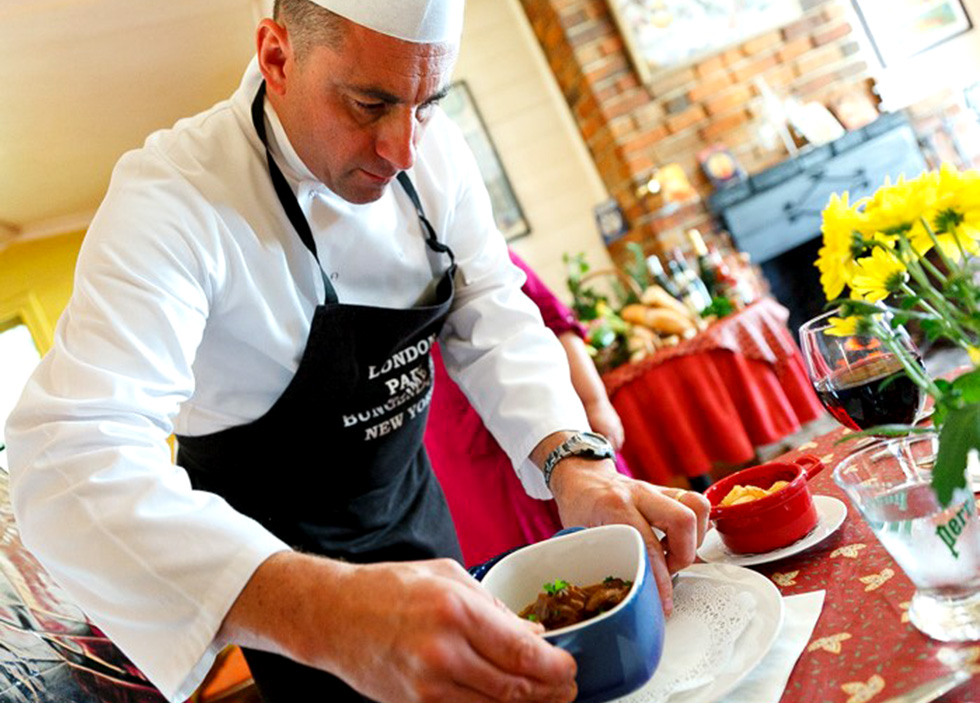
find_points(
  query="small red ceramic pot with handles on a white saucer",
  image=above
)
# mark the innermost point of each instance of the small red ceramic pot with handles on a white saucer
(772, 522)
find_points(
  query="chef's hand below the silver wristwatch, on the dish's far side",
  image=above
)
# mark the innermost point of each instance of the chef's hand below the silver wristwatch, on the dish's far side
(590, 493)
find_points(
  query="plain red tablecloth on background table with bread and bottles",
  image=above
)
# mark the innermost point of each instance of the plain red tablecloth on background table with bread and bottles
(713, 399)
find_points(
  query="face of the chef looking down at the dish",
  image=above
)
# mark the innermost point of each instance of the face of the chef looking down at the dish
(356, 112)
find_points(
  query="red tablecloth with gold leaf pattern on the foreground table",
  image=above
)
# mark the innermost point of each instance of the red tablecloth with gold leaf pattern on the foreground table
(863, 649)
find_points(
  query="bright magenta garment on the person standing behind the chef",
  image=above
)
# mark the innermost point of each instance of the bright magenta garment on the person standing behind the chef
(490, 509)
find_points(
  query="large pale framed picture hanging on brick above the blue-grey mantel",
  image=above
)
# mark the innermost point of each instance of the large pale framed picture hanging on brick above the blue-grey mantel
(665, 34)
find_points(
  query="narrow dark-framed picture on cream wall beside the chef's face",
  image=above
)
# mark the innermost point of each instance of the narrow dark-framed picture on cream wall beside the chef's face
(507, 212)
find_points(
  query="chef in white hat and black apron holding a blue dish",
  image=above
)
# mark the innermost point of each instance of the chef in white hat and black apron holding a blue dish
(266, 280)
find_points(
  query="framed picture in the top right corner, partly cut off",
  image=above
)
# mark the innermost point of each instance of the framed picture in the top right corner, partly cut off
(899, 29)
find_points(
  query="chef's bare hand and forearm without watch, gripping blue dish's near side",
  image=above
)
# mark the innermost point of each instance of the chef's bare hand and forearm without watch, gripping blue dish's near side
(399, 632)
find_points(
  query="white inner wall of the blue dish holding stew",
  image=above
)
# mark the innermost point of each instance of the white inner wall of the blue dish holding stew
(582, 558)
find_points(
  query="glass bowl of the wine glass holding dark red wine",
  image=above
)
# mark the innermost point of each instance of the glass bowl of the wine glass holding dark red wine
(859, 381)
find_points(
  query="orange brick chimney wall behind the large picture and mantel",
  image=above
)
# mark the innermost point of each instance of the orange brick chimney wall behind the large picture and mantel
(631, 129)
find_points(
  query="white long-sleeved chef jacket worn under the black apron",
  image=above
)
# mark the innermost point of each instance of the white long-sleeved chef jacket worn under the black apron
(192, 303)
